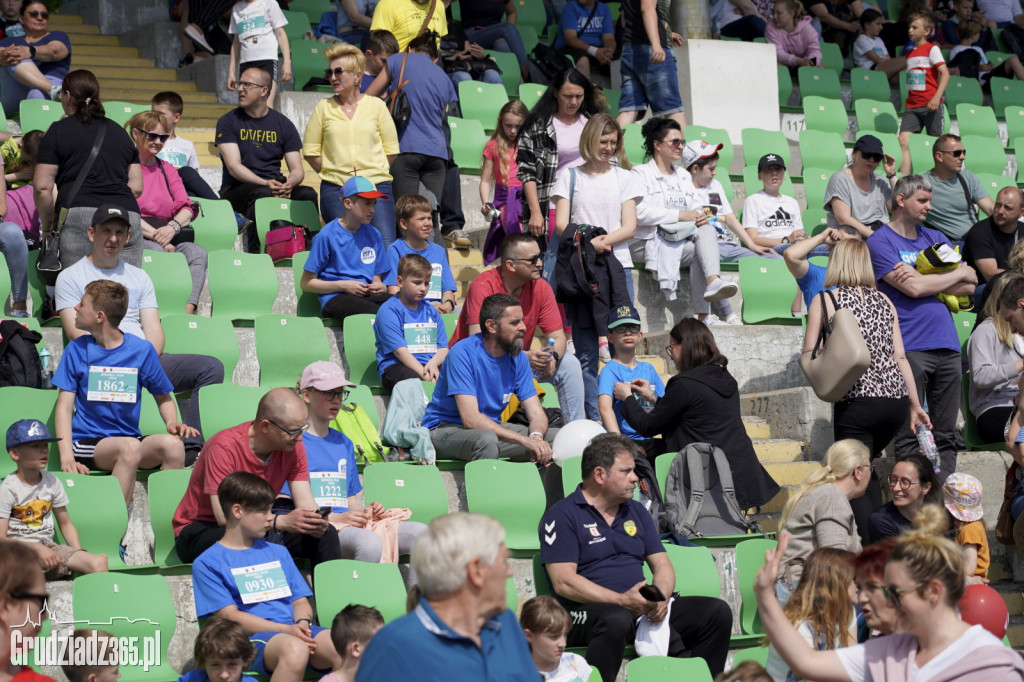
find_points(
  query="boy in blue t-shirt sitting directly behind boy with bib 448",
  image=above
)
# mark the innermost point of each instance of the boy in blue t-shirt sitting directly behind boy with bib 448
(416, 222)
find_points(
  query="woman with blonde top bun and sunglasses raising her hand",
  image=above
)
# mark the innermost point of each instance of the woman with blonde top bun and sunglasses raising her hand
(924, 580)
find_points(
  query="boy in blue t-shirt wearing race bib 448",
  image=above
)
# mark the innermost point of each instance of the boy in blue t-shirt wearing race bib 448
(411, 338)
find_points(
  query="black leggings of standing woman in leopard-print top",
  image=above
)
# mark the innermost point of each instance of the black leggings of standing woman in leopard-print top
(873, 421)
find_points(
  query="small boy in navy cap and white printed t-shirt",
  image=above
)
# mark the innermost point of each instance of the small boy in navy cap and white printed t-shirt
(32, 498)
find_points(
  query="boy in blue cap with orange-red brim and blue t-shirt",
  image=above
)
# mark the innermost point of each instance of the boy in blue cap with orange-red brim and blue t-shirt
(348, 259)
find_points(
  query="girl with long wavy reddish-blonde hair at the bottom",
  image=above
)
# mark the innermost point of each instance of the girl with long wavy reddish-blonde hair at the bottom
(822, 608)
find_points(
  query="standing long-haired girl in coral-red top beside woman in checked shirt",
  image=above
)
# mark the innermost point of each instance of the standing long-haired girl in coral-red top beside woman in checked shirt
(500, 166)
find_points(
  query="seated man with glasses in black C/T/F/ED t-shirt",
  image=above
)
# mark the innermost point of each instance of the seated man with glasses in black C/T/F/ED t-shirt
(253, 140)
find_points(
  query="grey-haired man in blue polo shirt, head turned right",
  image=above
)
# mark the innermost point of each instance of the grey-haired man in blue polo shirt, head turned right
(461, 629)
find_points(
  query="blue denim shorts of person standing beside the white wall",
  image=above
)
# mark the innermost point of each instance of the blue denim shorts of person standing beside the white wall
(646, 83)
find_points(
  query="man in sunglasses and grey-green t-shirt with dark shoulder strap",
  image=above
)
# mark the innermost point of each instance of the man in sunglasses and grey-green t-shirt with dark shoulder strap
(955, 191)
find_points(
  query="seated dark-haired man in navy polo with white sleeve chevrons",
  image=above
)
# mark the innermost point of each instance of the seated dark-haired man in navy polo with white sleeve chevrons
(594, 544)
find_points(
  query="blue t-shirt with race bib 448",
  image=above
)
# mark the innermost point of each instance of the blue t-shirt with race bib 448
(422, 331)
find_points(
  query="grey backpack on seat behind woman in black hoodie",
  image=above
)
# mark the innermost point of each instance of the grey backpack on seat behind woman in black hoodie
(700, 497)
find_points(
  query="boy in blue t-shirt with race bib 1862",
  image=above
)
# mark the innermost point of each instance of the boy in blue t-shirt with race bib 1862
(101, 376)
